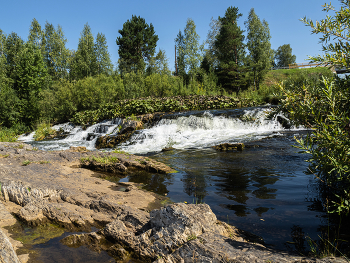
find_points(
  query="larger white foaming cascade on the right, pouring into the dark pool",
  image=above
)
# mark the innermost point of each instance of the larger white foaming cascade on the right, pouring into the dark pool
(204, 131)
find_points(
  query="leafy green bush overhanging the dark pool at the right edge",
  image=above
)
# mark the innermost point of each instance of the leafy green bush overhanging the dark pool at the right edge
(325, 107)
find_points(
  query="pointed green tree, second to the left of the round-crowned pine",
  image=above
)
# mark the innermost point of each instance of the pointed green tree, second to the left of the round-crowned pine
(84, 62)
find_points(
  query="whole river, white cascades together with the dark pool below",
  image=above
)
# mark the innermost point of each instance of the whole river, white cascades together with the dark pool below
(263, 189)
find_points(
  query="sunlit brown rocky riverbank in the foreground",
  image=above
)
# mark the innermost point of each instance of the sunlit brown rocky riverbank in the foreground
(40, 187)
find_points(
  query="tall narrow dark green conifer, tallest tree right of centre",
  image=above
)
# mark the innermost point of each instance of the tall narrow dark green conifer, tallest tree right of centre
(230, 51)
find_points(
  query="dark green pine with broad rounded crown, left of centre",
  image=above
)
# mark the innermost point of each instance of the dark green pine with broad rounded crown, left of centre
(137, 44)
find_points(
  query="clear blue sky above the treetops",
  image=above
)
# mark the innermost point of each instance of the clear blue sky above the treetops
(167, 17)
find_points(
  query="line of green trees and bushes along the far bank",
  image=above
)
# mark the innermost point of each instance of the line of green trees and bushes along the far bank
(42, 79)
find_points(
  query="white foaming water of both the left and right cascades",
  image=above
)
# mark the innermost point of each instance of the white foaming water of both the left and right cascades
(181, 133)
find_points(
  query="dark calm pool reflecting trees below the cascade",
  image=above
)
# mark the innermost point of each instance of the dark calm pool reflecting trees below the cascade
(262, 189)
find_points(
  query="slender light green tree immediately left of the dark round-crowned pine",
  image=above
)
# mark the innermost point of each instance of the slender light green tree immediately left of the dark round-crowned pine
(104, 64)
